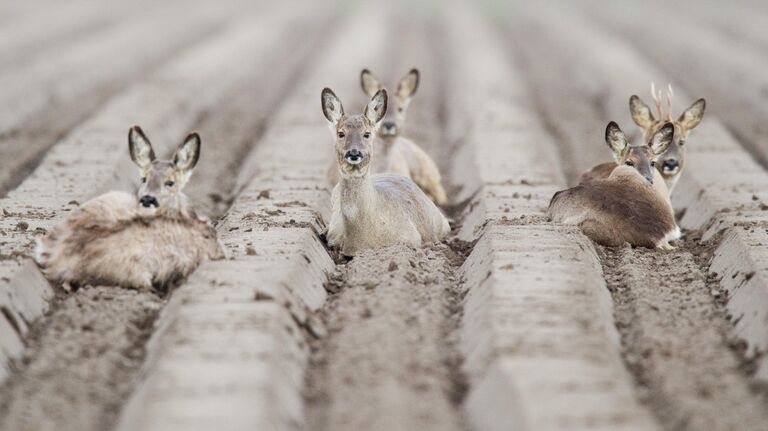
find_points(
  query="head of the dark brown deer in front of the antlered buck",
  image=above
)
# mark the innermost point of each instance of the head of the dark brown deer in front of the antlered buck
(641, 157)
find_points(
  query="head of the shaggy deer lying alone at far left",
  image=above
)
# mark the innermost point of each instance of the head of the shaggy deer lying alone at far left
(162, 180)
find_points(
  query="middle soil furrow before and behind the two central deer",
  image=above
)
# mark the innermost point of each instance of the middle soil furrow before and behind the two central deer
(390, 359)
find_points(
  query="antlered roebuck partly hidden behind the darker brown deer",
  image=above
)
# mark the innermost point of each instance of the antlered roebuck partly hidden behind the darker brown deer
(671, 163)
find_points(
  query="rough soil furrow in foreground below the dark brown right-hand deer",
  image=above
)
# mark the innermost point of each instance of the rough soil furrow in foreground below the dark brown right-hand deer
(676, 341)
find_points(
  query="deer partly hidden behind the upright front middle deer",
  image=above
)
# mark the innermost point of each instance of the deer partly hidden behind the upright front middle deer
(395, 153)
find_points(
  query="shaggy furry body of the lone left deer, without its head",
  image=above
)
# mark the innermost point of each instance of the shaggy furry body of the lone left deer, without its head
(109, 240)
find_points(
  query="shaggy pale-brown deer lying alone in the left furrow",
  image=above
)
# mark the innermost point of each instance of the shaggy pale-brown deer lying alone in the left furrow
(144, 241)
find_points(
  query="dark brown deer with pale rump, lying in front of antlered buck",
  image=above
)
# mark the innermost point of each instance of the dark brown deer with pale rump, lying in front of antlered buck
(624, 207)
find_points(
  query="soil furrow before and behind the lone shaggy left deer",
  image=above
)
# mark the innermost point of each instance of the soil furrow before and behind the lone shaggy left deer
(82, 357)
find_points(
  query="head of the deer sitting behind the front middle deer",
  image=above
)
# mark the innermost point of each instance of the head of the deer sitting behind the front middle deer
(394, 123)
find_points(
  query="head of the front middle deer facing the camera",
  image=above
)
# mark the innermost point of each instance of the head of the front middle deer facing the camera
(354, 134)
